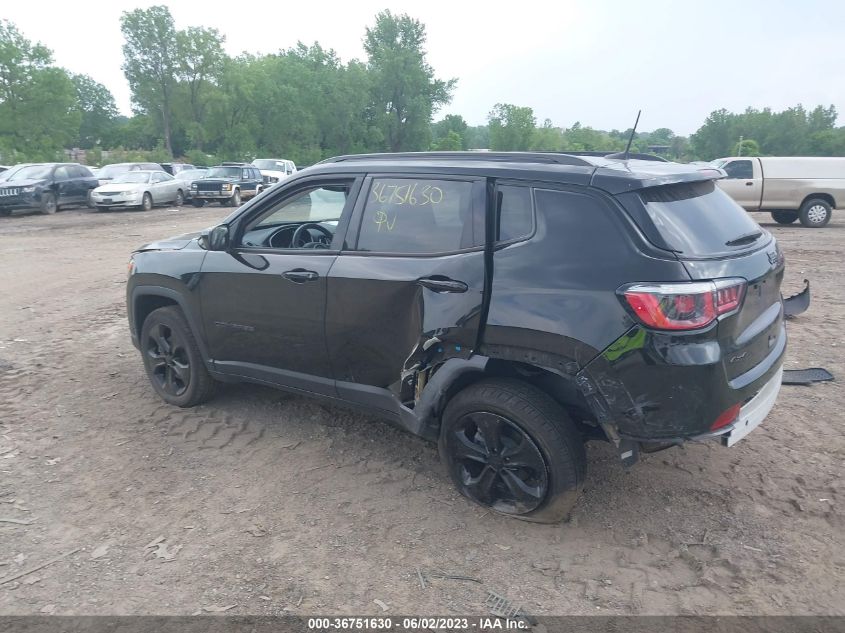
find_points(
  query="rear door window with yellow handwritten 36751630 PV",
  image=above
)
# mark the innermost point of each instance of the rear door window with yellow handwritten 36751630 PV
(419, 216)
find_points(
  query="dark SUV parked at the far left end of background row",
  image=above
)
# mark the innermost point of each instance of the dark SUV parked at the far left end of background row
(46, 187)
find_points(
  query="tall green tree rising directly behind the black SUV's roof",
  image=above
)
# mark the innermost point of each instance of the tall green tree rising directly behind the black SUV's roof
(405, 92)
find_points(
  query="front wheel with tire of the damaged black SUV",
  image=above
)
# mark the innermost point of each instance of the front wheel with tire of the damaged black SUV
(172, 359)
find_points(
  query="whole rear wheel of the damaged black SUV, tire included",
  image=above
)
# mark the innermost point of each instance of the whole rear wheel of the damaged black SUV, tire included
(510, 448)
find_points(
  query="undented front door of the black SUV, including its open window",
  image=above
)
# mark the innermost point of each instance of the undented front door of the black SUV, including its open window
(264, 300)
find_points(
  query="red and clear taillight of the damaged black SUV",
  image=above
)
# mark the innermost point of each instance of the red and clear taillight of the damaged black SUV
(684, 306)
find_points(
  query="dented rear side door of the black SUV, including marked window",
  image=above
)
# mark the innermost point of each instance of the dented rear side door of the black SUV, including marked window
(406, 291)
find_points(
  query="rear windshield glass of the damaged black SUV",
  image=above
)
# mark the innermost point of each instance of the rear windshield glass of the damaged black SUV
(699, 219)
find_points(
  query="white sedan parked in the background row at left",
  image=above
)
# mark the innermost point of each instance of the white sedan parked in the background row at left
(139, 189)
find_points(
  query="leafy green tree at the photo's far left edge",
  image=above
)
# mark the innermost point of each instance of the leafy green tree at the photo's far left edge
(38, 114)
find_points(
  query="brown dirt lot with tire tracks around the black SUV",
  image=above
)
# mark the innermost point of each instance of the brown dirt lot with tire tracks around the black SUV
(265, 503)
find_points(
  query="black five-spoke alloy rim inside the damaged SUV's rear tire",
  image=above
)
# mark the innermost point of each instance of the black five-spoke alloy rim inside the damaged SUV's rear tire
(499, 465)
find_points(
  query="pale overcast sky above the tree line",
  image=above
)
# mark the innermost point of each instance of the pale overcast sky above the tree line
(596, 62)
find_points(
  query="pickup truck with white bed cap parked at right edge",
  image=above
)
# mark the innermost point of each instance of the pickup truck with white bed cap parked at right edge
(791, 188)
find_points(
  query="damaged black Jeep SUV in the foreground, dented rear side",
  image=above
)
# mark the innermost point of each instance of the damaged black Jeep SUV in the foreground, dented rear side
(509, 306)
